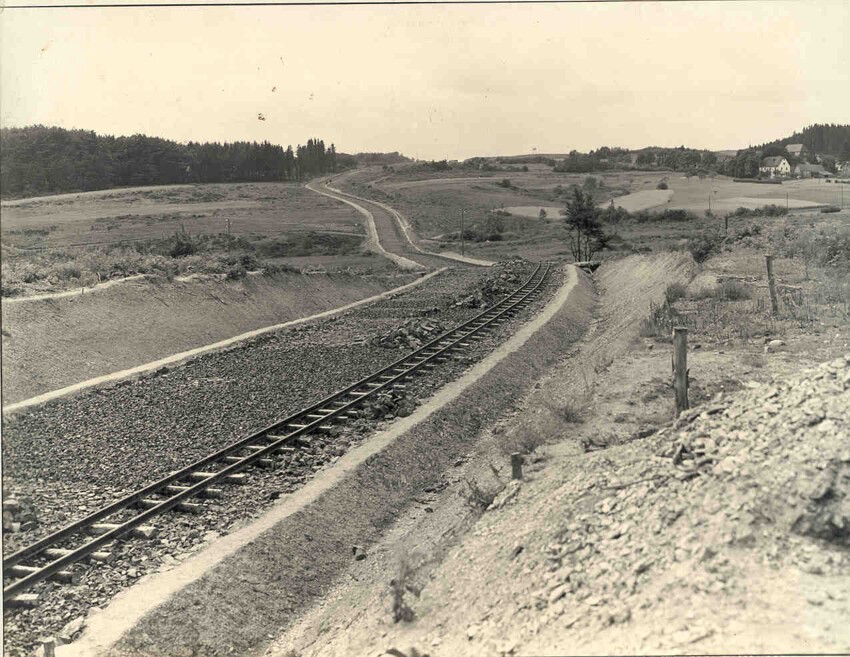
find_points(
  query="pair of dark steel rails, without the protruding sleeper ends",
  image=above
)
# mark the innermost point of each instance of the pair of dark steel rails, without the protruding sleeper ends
(402, 368)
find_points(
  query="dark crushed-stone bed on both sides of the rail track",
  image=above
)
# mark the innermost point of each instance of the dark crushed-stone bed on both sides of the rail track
(71, 456)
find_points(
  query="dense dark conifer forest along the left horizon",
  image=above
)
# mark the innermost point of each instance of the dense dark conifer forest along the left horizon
(44, 160)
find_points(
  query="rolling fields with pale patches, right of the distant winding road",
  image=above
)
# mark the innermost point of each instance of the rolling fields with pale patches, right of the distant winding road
(502, 209)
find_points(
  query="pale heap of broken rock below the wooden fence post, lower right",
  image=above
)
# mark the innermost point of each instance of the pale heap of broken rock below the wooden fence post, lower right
(754, 475)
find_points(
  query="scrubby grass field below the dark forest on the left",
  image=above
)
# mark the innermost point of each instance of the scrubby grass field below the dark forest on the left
(81, 239)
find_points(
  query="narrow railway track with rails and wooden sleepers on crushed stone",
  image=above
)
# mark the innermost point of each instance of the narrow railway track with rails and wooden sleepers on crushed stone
(55, 557)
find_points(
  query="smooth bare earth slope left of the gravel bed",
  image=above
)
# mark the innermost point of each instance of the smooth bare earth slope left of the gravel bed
(53, 343)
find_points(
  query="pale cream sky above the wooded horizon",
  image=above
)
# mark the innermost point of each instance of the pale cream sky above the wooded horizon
(434, 81)
